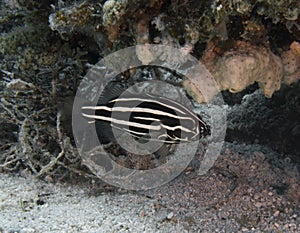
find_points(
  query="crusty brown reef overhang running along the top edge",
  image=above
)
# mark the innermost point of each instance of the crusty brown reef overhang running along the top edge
(175, 23)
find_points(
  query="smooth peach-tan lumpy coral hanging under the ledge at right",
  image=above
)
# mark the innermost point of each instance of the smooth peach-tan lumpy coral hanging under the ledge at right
(244, 64)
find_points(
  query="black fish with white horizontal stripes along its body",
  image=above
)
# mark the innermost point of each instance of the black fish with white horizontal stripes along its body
(147, 116)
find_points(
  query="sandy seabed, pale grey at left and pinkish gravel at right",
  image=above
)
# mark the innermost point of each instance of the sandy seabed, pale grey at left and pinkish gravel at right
(250, 189)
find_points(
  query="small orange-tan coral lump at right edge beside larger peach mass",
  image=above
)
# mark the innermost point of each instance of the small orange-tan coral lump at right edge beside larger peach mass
(291, 62)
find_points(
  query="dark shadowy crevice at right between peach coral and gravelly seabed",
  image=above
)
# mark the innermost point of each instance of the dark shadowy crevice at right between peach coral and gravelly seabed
(271, 122)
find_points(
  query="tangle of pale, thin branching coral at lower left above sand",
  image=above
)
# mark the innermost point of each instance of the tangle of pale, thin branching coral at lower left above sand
(41, 144)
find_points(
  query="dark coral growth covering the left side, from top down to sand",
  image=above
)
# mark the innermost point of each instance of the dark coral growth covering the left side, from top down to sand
(36, 70)
